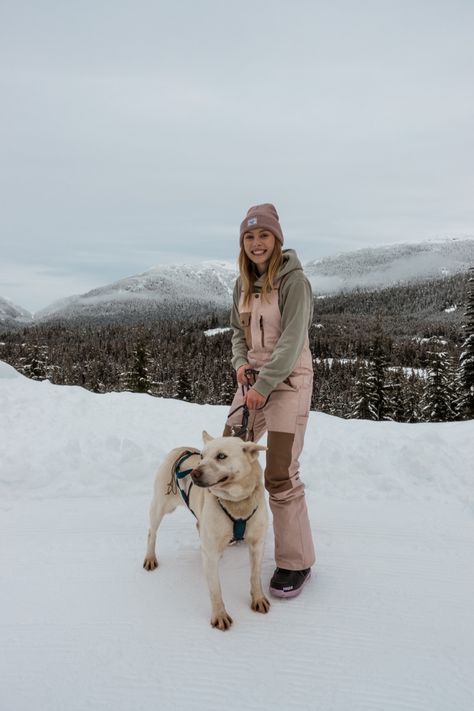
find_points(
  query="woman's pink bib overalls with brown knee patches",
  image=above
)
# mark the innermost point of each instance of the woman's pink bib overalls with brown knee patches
(284, 417)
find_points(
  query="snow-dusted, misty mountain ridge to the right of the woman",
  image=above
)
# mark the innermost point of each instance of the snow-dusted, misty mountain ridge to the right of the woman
(384, 266)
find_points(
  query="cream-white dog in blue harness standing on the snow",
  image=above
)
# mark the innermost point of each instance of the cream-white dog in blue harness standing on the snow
(223, 488)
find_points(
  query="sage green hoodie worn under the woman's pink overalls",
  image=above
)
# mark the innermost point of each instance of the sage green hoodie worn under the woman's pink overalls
(295, 300)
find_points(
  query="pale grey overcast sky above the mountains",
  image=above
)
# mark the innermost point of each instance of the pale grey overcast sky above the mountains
(138, 133)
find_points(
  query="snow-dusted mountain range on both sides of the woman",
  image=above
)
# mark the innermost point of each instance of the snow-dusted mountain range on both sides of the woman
(187, 288)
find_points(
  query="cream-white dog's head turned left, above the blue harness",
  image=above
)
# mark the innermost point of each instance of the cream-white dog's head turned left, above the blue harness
(227, 466)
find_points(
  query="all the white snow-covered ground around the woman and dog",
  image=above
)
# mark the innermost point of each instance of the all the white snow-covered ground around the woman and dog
(386, 623)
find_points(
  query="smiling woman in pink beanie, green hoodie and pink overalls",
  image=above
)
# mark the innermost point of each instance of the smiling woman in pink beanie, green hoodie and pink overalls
(272, 311)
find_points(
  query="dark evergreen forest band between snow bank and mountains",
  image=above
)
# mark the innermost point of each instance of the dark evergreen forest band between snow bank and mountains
(365, 366)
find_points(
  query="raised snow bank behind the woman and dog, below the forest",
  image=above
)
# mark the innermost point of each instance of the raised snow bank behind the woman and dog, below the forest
(67, 441)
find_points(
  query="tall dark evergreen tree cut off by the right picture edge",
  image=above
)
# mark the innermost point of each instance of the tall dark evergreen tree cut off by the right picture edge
(465, 404)
